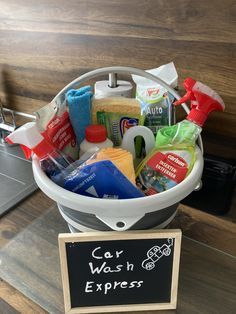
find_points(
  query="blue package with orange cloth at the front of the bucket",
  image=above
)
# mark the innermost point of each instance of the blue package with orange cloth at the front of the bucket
(106, 173)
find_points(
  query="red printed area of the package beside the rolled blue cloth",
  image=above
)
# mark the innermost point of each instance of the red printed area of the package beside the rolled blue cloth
(59, 132)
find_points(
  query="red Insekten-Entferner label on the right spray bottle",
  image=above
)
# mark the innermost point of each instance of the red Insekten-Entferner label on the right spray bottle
(170, 165)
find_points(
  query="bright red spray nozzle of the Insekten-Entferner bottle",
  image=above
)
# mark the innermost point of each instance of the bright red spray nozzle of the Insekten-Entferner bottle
(203, 100)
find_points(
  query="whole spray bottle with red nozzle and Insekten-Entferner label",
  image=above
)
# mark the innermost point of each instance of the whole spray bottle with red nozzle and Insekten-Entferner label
(174, 154)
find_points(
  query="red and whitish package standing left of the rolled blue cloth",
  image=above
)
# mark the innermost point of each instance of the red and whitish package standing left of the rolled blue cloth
(54, 125)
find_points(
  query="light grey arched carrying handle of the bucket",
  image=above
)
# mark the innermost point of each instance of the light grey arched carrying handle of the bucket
(127, 70)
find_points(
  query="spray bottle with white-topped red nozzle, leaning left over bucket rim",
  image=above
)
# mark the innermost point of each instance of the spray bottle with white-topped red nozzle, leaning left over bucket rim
(52, 161)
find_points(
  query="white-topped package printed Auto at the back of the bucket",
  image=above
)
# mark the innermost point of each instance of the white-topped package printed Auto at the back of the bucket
(156, 102)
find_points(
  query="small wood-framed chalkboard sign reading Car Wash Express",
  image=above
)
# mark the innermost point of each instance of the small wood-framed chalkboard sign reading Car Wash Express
(120, 271)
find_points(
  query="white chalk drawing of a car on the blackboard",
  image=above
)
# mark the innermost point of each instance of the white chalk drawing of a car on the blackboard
(155, 253)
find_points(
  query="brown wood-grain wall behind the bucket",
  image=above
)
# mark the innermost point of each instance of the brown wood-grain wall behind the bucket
(46, 44)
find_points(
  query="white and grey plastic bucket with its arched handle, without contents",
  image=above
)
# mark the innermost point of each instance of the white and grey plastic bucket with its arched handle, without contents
(87, 213)
